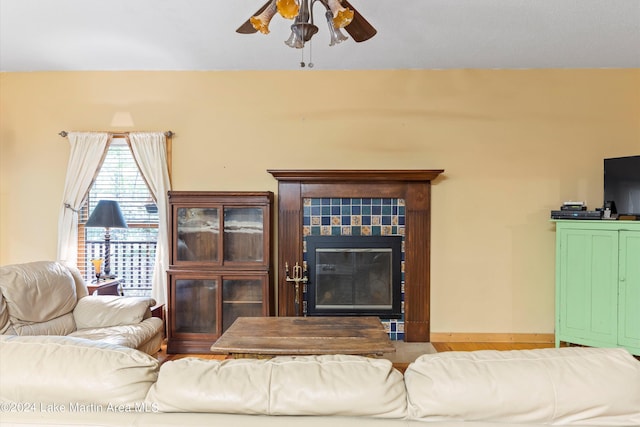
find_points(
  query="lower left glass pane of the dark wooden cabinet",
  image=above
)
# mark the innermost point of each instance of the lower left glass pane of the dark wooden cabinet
(197, 299)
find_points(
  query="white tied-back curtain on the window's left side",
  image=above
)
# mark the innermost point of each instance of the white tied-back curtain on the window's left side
(87, 153)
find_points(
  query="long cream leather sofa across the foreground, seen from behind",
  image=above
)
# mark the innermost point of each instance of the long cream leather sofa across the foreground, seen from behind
(47, 381)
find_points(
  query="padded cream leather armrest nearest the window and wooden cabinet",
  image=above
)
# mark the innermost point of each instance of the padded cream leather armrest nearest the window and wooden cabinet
(101, 311)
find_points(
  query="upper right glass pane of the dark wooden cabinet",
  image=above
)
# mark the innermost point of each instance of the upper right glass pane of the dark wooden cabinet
(243, 234)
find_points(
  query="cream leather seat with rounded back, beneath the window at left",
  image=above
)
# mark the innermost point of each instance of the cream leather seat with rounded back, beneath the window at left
(49, 298)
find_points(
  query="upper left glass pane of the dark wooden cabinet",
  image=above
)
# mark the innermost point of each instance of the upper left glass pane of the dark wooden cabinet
(198, 234)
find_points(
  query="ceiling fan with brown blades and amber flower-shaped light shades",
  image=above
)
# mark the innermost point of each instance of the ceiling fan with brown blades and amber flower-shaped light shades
(338, 13)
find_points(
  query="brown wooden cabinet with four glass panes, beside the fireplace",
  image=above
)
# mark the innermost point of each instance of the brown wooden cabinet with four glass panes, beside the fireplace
(221, 266)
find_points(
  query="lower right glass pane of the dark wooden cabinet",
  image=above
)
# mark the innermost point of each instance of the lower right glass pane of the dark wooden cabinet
(241, 297)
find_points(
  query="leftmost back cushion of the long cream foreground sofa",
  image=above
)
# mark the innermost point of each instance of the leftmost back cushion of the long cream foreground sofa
(72, 371)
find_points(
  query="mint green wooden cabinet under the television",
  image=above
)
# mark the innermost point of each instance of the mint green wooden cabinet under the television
(598, 283)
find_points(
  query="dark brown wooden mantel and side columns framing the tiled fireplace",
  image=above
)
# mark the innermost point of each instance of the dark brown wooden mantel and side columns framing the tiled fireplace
(414, 186)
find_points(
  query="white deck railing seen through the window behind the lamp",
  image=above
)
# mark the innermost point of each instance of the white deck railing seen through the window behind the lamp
(130, 261)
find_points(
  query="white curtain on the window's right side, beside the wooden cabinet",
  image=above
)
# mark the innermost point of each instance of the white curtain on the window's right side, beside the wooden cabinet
(150, 152)
